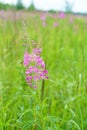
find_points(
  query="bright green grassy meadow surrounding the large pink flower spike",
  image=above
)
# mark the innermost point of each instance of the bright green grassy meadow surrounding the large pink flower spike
(59, 102)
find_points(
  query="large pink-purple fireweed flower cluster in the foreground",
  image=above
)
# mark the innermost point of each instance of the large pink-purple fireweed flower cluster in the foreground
(35, 67)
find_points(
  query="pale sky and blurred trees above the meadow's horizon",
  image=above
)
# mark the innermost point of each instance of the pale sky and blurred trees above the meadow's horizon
(76, 6)
